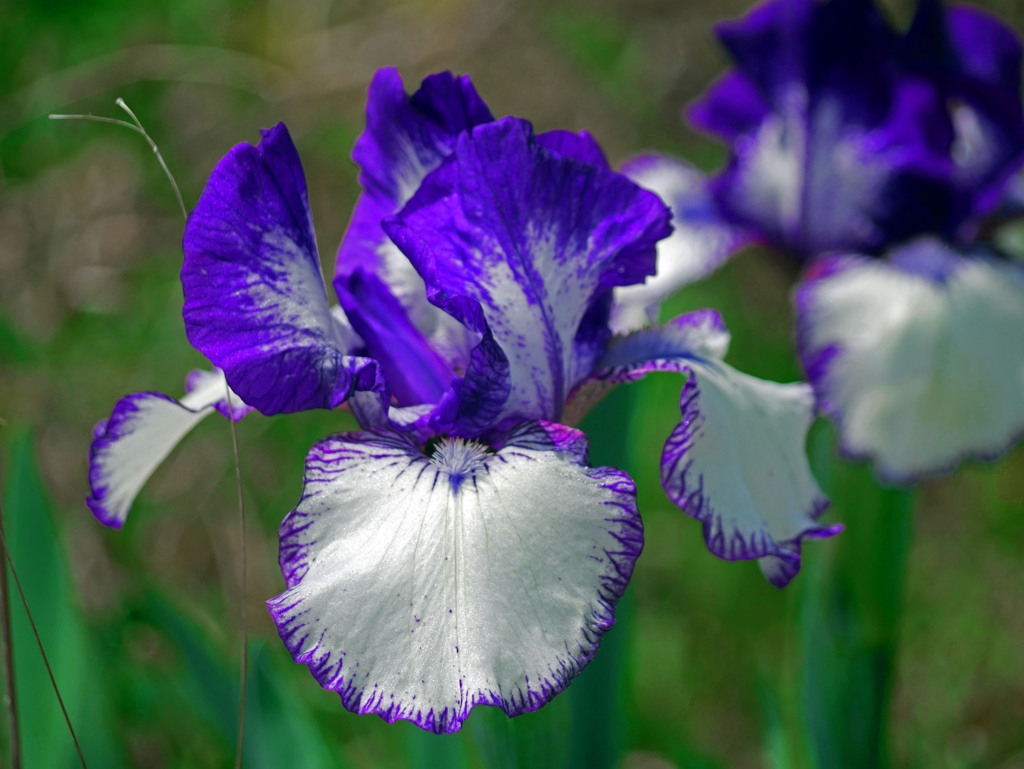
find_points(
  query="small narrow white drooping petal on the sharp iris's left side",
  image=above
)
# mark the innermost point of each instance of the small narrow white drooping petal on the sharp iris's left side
(144, 429)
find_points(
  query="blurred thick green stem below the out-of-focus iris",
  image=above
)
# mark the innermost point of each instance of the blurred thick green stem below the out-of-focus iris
(849, 619)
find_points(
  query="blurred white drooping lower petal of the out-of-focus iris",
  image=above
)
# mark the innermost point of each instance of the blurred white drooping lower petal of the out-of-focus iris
(920, 360)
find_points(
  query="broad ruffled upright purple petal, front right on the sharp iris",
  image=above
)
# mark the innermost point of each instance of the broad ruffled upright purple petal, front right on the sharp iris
(520, 242)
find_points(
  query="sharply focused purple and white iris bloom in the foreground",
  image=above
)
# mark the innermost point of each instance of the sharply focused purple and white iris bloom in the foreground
(460, 550)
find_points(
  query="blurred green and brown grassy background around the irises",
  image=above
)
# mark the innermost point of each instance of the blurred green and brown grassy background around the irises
(710, 668)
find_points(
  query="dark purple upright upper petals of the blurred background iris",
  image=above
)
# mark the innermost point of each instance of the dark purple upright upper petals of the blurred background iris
(847, 136)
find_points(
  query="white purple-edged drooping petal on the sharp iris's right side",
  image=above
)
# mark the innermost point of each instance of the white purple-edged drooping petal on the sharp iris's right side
(737, 461)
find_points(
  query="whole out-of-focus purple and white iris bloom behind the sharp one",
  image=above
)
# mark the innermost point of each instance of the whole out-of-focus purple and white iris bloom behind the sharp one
(879, 159)
